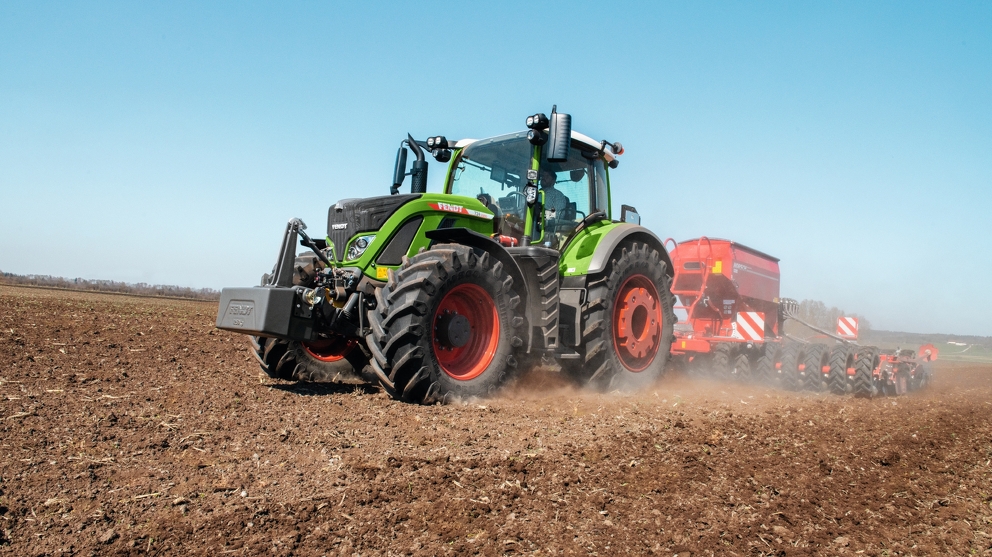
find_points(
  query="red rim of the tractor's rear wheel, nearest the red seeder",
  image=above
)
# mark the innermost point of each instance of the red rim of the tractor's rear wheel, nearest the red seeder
(637, 323)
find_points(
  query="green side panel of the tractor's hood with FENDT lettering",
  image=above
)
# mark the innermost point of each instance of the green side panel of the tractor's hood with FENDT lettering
(433, 207)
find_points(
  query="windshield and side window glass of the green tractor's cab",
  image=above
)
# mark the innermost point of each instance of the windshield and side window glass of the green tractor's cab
(495, 172)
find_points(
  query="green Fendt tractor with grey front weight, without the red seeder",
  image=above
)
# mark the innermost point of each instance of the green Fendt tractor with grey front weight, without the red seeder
(441, 297)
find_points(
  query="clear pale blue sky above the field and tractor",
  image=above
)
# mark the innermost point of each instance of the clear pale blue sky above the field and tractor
(168, 143)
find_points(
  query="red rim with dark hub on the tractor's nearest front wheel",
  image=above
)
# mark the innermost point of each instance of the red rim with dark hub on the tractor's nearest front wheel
(471, 353)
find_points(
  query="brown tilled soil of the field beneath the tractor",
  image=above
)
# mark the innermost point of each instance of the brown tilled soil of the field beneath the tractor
(131, 426)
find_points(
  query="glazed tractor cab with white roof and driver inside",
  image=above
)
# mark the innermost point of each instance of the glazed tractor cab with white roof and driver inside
(498, 170)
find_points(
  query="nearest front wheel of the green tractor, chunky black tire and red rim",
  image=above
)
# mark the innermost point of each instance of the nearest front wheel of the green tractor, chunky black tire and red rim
(445, 327)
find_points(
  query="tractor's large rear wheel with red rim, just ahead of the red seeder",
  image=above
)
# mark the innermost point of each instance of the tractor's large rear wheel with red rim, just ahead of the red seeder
(627, 324)
